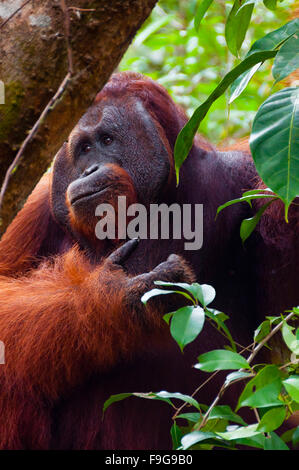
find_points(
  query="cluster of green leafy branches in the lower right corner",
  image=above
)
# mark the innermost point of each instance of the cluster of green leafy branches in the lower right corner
(272, 391)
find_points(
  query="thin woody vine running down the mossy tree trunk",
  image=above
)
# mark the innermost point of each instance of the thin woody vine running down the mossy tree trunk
(62, 87)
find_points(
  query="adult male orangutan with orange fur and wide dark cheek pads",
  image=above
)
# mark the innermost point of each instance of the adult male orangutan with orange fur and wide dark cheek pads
(71, 319)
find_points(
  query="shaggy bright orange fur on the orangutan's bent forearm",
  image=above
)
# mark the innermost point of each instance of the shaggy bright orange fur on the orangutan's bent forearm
(61, 323)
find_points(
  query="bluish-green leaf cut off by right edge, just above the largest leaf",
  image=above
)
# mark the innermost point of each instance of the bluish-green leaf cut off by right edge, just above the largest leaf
(287, 59)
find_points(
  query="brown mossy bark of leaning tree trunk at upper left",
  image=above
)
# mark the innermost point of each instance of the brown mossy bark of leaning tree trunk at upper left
(34, 60)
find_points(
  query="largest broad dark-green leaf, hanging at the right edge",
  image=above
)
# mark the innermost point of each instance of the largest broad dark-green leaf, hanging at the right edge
(274, 143)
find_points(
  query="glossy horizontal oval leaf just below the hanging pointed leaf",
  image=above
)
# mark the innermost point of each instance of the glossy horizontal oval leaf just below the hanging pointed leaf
(221, 359)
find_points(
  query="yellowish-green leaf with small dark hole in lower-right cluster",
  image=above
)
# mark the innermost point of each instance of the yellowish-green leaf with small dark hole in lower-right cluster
(263, 390)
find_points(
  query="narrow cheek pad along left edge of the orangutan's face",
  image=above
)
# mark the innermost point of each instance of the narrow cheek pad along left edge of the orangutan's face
(61, 178)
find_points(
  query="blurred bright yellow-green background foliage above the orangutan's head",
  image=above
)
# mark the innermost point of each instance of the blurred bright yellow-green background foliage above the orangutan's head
(190, 64)
